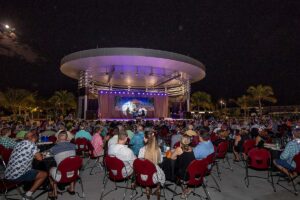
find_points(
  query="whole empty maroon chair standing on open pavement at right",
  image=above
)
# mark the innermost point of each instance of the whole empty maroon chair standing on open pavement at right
(259, 159)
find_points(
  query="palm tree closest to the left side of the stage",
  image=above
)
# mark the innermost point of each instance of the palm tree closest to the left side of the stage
(63, 100)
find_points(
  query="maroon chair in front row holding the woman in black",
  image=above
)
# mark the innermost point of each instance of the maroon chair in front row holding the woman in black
(194, 177)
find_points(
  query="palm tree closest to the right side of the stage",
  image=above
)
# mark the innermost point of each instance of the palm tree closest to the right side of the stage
(201, 100)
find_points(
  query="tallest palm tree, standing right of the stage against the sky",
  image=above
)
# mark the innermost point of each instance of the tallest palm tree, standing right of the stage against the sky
(262, 93)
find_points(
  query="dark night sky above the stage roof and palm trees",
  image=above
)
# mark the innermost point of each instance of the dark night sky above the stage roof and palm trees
(242, 43)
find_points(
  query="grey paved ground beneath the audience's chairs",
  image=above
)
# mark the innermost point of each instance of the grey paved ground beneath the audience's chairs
(232, 186)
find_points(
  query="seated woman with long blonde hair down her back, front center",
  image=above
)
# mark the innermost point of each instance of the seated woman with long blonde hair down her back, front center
(152, 152)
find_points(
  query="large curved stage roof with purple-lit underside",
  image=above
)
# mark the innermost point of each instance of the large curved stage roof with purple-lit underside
(133, 67)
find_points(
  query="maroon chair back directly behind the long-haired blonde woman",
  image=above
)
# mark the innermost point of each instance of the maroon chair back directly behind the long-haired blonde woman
(144, 171)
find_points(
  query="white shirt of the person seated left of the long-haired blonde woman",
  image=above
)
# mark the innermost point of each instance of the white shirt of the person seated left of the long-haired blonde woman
(125, 154)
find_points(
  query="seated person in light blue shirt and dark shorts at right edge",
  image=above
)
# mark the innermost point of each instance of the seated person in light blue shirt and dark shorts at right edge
(286, 162)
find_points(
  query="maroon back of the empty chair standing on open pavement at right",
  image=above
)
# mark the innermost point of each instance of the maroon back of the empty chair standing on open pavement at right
(259, 158)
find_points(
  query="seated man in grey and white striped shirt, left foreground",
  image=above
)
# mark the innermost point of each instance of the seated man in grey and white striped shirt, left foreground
(63, 149)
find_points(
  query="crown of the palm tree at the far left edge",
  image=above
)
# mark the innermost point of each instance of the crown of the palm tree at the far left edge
(17, 100)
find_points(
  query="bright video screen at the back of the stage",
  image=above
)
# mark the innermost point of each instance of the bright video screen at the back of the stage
(138, 106)
